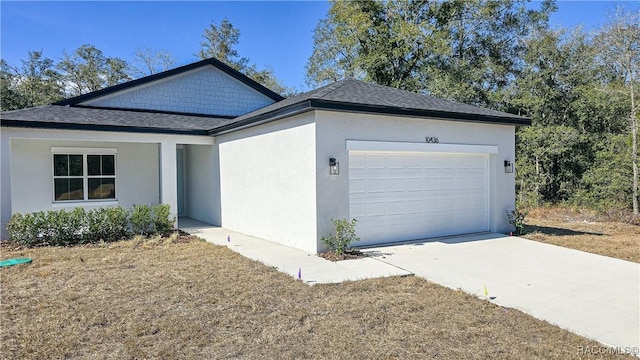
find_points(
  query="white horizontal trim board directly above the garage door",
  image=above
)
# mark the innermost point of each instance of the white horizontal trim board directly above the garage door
(388, 146)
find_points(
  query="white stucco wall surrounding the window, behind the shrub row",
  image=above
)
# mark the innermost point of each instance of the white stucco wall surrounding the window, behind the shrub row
(31, 174)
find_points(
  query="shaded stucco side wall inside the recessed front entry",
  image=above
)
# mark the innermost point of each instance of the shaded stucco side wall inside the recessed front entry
(203, 183)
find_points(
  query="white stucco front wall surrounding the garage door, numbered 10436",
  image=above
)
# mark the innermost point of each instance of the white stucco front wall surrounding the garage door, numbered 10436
(333, 129)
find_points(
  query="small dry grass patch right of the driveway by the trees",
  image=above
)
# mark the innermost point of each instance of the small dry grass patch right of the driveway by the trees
(585, 231)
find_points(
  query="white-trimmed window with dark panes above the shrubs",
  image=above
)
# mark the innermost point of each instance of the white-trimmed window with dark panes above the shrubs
(84, 175)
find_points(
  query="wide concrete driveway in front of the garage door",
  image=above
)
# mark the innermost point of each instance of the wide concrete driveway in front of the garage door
(592, 295)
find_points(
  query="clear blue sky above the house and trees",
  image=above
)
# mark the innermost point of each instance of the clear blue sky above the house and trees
(274, 34)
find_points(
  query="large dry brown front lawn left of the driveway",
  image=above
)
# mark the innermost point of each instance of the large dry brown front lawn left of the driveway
(197, 300)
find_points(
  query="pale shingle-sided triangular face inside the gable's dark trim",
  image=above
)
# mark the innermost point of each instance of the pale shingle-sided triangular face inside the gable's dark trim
(204, 90)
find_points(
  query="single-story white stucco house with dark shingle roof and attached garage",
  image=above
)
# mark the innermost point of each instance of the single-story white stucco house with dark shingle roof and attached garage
(220, 148)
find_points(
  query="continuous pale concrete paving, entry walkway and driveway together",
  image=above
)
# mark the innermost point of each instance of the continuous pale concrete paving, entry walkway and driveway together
(591, 295)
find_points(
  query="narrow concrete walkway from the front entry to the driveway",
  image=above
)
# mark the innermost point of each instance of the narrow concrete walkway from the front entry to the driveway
(312, 269)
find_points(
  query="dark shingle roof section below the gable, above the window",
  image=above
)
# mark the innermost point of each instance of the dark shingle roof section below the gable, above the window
(57, 116)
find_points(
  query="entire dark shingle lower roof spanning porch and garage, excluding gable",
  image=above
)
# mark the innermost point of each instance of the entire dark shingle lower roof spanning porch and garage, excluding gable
(344, 95)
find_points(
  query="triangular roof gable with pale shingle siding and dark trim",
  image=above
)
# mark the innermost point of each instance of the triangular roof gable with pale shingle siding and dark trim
(206, 87)
